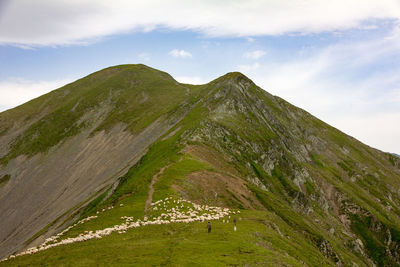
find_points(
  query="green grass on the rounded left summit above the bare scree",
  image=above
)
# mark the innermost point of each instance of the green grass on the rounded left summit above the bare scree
(134, 94)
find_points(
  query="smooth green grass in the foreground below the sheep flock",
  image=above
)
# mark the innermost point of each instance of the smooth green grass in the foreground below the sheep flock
(254, 243)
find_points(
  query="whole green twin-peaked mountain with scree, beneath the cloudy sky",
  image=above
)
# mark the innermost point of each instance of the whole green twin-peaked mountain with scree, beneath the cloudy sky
(129, 143)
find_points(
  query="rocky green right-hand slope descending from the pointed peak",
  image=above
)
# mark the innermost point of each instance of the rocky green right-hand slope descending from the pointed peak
(349, 192)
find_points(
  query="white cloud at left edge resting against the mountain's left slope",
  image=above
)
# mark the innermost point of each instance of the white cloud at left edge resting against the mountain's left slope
(15, 91)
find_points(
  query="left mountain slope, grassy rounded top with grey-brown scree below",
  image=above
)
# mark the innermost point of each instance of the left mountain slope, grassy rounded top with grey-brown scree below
(63, 147)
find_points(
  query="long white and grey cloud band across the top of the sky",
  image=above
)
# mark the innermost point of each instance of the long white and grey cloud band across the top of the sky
(46, 22)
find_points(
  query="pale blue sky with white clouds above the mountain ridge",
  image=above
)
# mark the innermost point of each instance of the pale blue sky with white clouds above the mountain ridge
(338, 60)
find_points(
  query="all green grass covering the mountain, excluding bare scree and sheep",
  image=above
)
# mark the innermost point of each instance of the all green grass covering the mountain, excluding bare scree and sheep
(258, 128)
